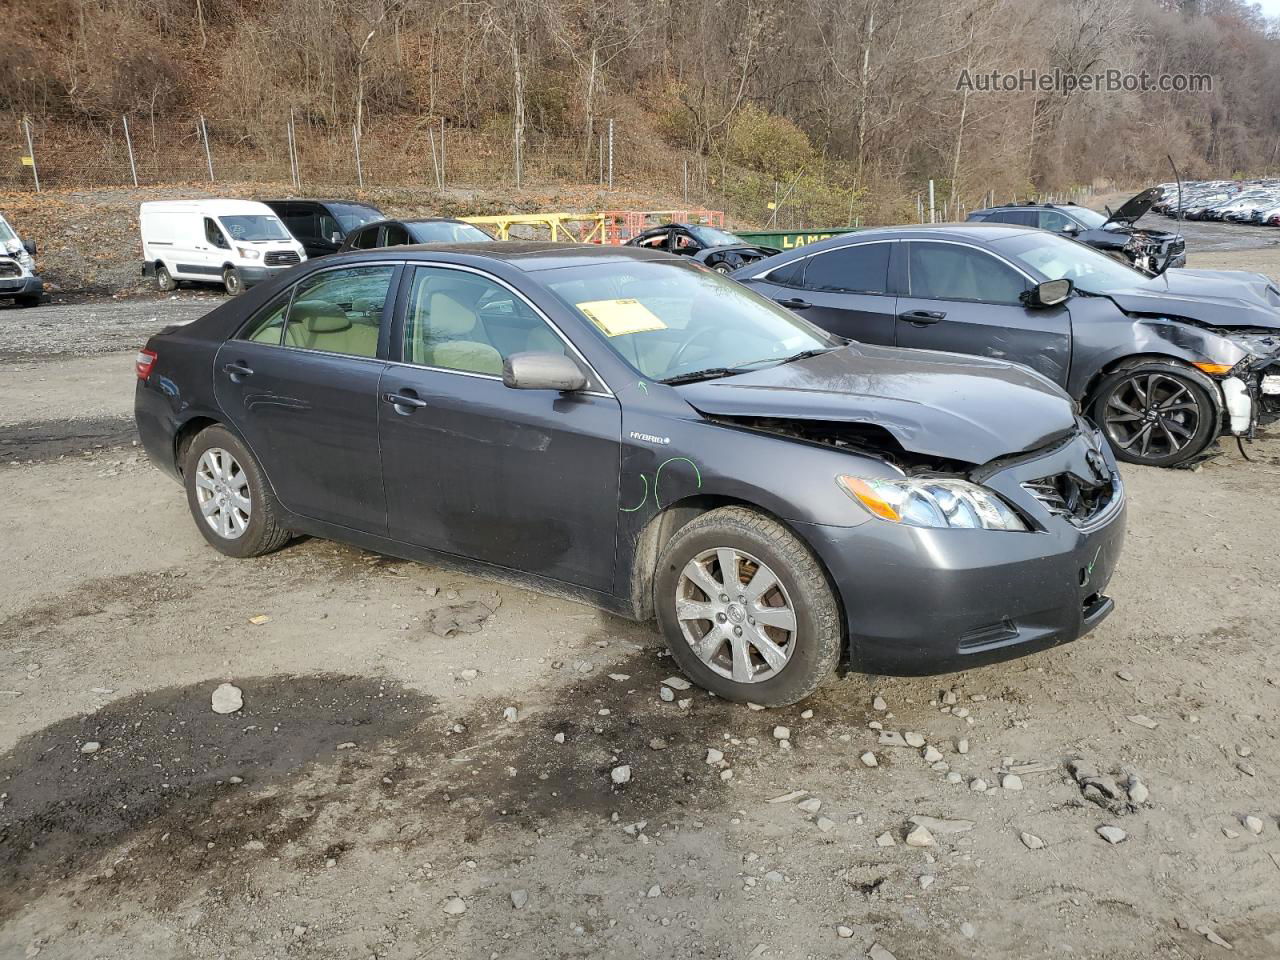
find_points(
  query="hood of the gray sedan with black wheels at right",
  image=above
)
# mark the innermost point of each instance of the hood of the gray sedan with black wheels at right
(1213, 298)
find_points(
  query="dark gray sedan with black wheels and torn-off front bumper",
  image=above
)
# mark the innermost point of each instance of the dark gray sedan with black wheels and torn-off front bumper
(1165, 365)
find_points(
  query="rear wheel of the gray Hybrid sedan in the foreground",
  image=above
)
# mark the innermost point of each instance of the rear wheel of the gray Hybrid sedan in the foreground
(230, 499)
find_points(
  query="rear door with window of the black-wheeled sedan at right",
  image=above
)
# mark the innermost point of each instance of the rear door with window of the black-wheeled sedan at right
(844, 291)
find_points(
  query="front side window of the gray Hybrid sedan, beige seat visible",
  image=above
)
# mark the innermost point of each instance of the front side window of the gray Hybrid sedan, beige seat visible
(459, 321)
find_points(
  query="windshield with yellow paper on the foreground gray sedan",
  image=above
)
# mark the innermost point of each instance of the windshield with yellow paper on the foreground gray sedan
(670, 321)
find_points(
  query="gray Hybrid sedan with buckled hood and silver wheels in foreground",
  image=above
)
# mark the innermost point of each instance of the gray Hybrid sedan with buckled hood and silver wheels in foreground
(644, 435)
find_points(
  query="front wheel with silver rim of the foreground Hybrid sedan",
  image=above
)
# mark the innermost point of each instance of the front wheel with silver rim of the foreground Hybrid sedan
(747, 610)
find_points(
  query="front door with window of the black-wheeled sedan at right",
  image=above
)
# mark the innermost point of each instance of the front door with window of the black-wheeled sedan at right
(966, 300)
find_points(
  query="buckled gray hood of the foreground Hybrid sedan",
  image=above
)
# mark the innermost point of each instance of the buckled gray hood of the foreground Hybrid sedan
(940, 405)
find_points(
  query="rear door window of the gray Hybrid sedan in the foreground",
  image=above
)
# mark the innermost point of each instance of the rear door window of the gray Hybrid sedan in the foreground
(340, 312)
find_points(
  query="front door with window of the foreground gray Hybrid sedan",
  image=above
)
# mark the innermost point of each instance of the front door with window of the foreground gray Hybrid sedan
(523, 479)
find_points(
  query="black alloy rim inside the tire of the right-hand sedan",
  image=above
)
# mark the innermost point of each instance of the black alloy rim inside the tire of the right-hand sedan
(1153, 417)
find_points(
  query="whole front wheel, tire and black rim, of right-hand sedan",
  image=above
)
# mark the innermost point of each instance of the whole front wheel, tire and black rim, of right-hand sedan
(1155, 414)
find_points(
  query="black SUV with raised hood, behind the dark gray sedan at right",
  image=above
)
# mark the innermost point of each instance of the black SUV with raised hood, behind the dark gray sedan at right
(1114, 234)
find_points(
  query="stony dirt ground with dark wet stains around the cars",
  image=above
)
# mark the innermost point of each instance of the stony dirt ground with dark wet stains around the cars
(371, 801)
